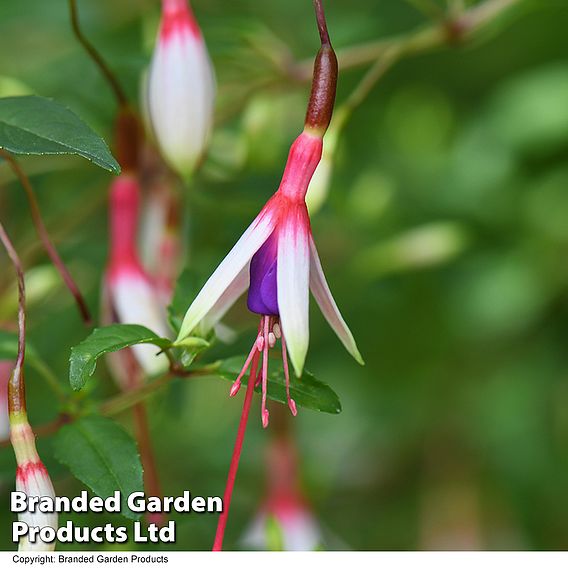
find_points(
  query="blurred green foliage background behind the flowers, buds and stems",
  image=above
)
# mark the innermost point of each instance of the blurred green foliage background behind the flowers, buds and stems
(444, 239)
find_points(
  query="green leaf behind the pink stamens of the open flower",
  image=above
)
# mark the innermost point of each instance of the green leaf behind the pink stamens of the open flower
(307, 392)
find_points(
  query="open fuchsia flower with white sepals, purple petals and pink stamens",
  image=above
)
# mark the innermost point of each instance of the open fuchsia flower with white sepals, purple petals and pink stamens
(276, 258)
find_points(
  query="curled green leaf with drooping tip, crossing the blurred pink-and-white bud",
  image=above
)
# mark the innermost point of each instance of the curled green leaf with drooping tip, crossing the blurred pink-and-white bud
(83, 359)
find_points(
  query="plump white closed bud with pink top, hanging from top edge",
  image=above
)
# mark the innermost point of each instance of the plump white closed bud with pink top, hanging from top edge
(181, 88)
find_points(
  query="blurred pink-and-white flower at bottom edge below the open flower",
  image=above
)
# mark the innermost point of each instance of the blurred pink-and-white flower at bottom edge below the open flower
(284, 504)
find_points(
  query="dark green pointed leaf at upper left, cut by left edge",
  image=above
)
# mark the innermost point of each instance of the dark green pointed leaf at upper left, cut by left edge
(36, 125)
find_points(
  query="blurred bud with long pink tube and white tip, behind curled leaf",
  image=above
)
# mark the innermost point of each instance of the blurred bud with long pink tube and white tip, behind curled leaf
(129, 295)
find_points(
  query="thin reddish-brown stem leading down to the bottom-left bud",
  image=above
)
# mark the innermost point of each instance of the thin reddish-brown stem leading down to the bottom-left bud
(16, 385)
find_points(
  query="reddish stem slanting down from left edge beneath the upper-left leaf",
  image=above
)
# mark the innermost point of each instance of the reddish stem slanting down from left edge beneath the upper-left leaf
(45, 239)
